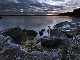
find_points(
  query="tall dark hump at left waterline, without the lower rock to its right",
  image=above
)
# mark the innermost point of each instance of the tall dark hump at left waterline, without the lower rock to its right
(16, 34)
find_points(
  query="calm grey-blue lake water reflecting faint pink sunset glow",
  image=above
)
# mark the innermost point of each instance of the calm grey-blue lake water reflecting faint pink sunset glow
(32, 22)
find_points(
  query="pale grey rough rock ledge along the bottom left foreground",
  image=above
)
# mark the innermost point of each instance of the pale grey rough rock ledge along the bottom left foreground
(11, 51)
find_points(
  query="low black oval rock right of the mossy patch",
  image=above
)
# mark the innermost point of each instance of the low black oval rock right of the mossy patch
(51, 42)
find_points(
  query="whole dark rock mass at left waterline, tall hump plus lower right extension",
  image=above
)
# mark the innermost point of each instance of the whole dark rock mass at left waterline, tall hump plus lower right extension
(18, 35)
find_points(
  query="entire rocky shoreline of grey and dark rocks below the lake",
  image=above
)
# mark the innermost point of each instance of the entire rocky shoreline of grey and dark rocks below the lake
(62, 44)
